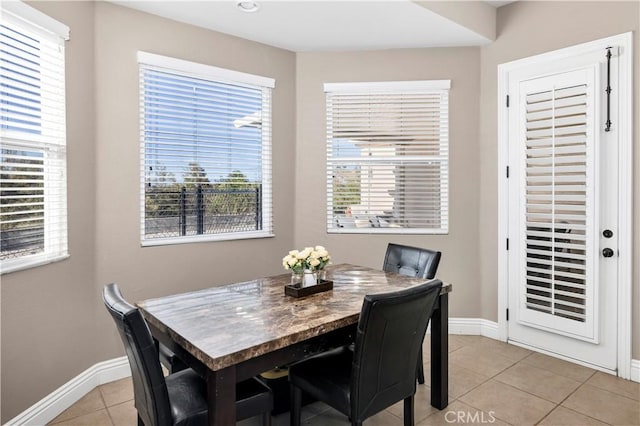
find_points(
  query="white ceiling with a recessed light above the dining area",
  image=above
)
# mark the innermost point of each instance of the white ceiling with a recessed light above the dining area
(322, 25)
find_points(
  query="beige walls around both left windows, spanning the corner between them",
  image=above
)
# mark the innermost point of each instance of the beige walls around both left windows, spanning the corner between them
(54, 325)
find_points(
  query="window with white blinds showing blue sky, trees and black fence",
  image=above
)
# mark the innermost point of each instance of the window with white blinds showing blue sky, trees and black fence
(205, 152)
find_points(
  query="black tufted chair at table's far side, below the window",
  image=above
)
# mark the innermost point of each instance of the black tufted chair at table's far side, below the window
(413, 262)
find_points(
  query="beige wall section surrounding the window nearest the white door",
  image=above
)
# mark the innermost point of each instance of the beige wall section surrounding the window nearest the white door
(462, 65)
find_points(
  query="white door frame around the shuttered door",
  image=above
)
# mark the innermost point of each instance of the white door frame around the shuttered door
(625, 179)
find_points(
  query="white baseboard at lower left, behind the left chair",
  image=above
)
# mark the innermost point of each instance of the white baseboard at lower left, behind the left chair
(45, 410)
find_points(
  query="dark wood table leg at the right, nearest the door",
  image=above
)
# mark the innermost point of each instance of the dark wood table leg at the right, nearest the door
(440, 354)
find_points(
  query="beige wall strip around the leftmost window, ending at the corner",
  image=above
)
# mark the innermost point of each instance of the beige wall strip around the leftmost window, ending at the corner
(48, 313)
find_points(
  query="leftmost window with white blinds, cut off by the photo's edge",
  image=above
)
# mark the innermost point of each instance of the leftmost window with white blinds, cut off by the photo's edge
(33, 206)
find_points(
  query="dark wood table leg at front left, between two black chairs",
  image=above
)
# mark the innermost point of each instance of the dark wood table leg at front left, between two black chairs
(221, 393)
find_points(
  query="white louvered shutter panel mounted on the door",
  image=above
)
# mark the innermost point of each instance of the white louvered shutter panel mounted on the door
(559, 191)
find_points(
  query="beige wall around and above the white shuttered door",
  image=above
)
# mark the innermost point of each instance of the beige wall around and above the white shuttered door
(525, 29)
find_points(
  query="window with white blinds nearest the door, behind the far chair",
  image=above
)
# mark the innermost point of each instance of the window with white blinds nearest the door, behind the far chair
(388, 157)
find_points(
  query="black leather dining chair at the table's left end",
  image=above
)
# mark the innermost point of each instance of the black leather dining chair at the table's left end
(179, 398)
